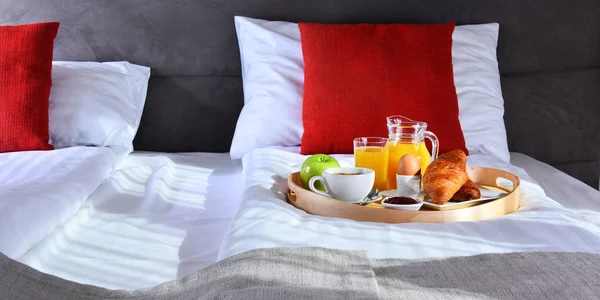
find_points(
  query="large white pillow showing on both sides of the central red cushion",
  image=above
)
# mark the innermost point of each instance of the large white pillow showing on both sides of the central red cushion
(273, 80)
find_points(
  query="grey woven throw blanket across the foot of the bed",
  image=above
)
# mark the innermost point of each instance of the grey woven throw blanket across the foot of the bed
(318, 273)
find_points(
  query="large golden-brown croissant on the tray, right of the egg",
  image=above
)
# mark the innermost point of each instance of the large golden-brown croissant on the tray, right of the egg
(445, 176)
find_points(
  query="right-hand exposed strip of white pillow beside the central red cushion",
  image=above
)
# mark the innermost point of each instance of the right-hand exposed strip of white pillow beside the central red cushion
(477, 82)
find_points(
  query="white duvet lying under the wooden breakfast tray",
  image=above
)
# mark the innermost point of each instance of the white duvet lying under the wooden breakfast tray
(266, 220)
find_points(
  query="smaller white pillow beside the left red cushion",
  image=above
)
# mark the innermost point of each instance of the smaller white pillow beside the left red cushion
(97, 104)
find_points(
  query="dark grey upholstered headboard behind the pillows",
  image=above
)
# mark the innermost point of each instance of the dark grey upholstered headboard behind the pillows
(549, 55)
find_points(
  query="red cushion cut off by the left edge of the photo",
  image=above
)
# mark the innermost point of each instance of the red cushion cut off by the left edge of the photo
(25, 81)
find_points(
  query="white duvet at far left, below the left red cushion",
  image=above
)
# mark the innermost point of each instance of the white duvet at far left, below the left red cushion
(40, 189)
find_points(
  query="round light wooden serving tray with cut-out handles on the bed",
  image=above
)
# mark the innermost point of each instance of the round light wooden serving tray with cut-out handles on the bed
(316, 204)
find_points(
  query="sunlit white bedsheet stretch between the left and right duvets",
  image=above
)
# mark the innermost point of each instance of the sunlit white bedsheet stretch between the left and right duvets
(158, 217)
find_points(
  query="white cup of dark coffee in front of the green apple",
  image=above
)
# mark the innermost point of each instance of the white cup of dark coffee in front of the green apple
(346, 184)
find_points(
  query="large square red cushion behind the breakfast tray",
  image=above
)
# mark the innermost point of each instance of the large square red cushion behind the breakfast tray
(357, 75)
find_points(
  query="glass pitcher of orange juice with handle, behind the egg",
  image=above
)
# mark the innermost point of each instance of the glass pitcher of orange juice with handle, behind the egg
(408, 136)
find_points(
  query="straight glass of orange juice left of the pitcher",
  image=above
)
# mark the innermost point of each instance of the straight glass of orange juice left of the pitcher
(372, 153)
